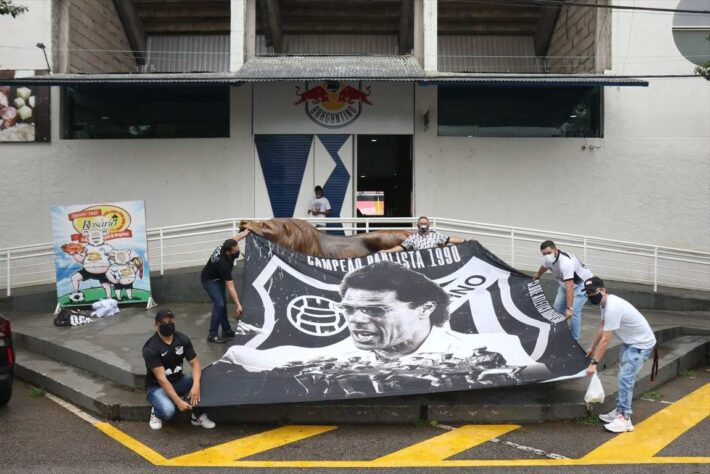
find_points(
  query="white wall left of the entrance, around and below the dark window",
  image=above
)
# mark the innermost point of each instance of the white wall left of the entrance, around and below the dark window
(181, 180)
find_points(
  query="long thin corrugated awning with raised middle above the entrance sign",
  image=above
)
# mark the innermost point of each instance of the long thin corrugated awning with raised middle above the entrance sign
(327, 68)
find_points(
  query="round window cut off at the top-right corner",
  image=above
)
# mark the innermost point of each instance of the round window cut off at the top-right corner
(691, 32)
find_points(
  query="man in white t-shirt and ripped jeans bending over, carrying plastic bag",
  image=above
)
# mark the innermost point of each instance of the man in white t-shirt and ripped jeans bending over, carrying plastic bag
(621, 318)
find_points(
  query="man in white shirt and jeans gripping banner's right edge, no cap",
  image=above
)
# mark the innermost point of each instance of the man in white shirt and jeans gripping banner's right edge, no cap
(571, 273)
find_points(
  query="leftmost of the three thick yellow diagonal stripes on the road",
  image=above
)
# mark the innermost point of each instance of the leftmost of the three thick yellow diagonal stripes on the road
(248, 446)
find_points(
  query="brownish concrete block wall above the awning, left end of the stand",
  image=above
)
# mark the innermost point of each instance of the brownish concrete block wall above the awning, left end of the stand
(94, 25)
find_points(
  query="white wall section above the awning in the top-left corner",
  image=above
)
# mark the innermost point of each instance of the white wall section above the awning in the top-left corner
(18, 37)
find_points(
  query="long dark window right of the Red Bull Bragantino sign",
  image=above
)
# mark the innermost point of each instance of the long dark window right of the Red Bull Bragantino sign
(519, 111)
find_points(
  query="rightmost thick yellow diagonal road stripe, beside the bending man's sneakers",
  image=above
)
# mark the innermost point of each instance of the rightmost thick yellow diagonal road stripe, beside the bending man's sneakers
(659, 430)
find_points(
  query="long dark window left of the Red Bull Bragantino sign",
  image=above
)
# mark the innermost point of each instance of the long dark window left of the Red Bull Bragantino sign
(105, 111)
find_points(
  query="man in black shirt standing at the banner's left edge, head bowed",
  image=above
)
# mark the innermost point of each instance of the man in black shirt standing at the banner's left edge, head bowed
(217, 280)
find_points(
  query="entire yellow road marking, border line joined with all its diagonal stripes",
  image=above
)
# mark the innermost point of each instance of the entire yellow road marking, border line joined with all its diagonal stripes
(637, 447)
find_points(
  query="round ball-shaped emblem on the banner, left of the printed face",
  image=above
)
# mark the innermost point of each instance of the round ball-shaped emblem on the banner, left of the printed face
(316, 316)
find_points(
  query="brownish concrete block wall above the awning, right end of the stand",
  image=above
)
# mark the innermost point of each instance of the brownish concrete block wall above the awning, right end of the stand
(572, 46)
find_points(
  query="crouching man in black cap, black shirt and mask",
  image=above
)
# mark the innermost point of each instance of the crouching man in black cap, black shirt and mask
(165, 383)
